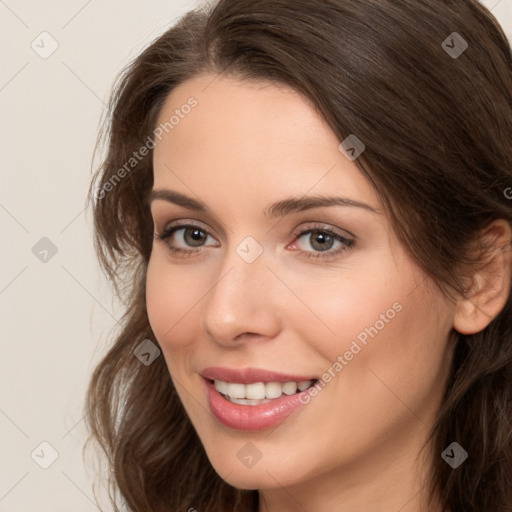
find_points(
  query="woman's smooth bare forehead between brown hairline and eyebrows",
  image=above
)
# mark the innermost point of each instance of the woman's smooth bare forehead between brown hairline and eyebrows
(260, 137)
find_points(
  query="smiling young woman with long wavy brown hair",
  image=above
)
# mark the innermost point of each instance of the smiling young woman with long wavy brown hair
(304, 206)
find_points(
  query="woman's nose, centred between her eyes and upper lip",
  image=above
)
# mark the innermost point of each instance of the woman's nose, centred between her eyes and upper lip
(243, 303)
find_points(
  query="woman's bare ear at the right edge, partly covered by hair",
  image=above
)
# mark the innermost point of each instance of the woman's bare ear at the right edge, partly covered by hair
(490, 284)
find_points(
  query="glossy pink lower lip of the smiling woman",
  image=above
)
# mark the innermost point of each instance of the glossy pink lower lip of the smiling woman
(252, 417)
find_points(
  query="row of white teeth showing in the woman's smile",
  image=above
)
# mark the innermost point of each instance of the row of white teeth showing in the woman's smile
(259, 392)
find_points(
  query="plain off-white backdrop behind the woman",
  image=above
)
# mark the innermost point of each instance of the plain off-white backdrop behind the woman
(59, 60)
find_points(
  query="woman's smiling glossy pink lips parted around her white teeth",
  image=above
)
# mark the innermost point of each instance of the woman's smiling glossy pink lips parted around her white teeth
(257, 414)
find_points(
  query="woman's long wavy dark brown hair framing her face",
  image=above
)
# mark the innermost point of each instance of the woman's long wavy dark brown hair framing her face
(438, 137)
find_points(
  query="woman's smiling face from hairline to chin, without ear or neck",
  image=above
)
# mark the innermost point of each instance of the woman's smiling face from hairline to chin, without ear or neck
(273, 280)
